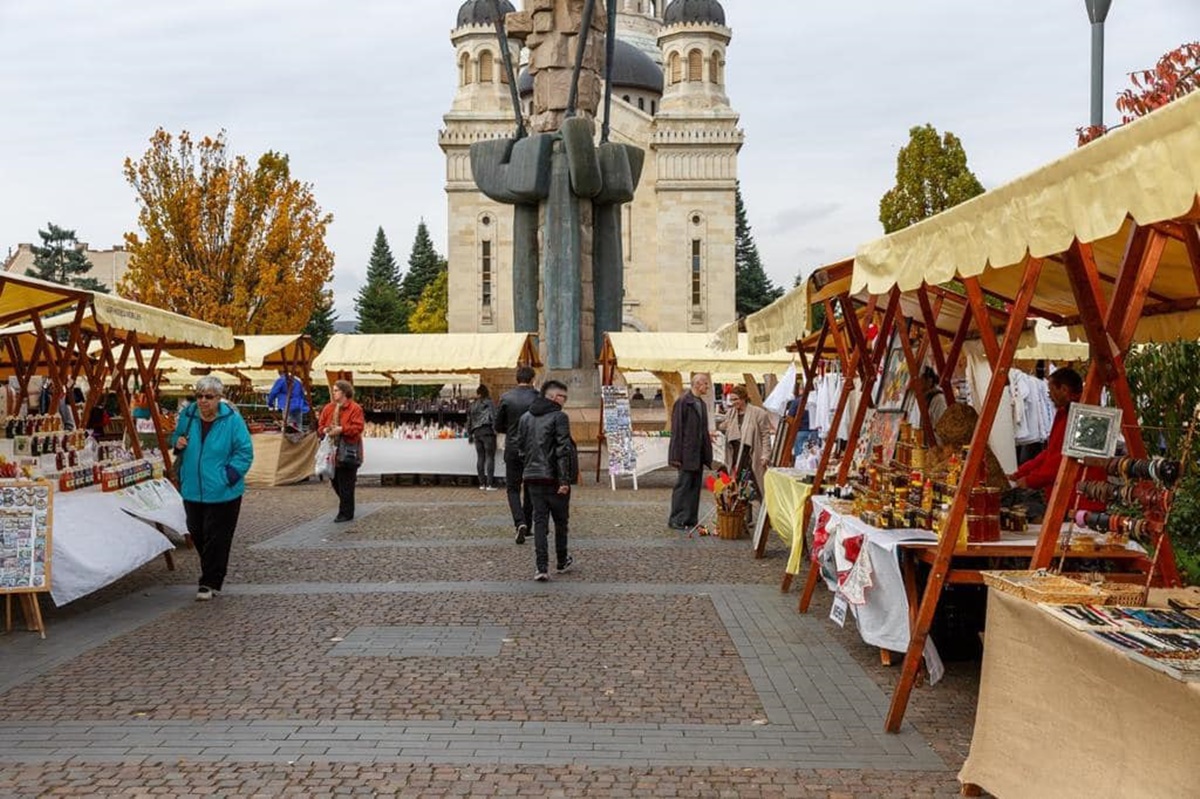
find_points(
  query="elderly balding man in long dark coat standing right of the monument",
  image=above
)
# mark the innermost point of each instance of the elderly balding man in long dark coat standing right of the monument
(692, 452)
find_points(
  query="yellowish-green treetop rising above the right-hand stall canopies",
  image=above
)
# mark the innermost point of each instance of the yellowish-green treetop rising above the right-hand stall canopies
(932, 177)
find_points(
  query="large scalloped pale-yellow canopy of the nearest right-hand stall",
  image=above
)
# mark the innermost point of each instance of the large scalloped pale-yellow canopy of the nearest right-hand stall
(1145, 173)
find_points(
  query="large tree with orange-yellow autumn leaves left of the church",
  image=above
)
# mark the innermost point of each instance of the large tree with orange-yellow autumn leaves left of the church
(223, 241)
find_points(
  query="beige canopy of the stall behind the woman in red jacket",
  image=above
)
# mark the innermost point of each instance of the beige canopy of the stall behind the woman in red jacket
(435, 356)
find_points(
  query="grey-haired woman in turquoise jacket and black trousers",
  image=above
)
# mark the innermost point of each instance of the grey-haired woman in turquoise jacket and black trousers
(213, 455)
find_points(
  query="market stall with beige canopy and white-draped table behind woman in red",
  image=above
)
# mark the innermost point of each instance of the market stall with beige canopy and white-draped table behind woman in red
(424, 436)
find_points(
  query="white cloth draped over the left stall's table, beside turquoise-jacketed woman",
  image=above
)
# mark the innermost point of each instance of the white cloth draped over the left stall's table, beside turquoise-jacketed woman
(101, 537)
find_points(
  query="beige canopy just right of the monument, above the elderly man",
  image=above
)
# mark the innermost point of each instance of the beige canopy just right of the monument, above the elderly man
(671, 352)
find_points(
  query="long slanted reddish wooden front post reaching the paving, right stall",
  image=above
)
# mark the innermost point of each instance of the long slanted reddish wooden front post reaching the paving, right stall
(971, 471)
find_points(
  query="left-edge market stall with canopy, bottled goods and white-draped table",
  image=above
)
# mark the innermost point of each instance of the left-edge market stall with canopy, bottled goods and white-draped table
(94, 494)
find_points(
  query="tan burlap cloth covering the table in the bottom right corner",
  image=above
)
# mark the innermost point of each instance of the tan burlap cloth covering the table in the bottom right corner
(1061, 714)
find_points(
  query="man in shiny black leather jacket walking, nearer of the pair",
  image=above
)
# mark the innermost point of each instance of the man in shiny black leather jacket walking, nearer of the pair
(551, 465)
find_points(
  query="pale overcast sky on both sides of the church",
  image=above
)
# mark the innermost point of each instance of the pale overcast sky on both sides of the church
(355, 92)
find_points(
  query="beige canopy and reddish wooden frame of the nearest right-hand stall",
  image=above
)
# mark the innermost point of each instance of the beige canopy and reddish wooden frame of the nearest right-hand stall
(1103, 242)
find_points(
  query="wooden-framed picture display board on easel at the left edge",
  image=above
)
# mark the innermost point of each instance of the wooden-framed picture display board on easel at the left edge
(26, 548)
